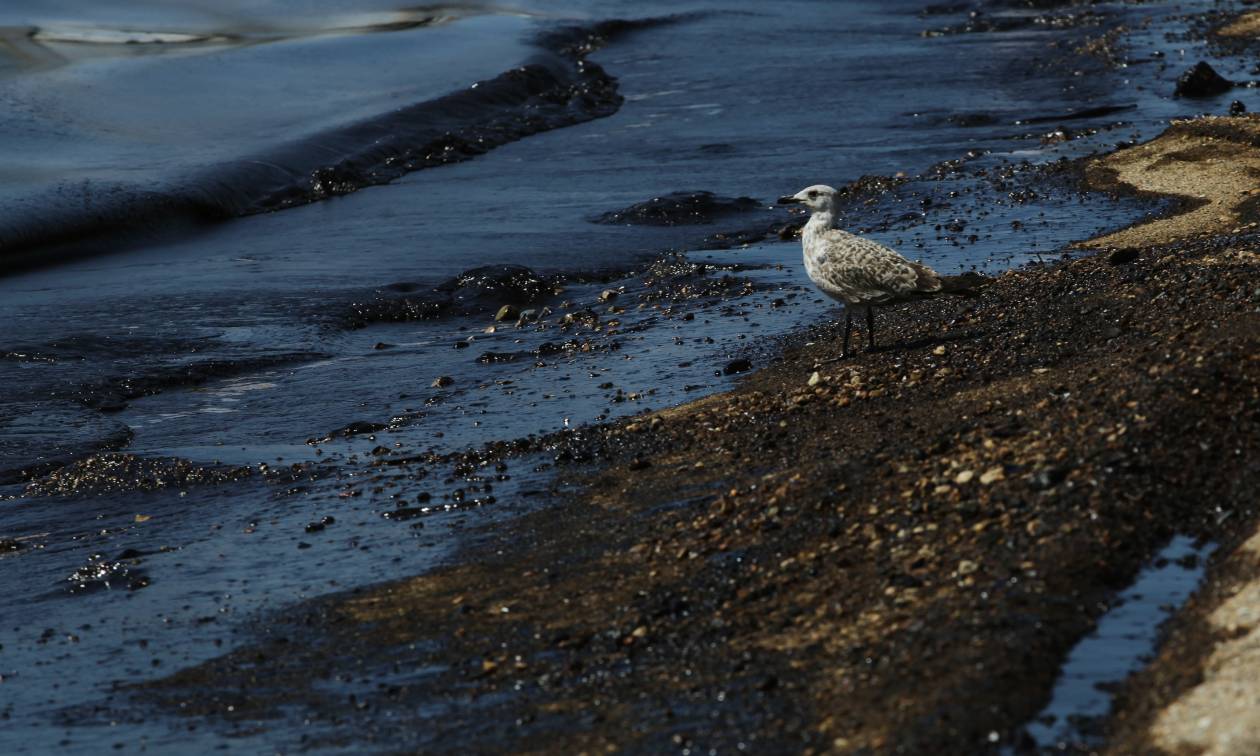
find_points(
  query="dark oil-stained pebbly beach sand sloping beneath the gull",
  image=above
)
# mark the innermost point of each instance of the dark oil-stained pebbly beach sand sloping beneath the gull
(895, 553)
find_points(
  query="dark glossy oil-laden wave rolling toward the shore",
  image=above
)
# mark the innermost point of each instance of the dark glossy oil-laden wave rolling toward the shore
(559, 88)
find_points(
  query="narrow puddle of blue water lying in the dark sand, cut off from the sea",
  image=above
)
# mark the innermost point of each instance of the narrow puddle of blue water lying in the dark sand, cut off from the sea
(1122, 644)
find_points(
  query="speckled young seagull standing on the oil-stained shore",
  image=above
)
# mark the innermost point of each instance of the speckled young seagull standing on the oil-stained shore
(861, 273)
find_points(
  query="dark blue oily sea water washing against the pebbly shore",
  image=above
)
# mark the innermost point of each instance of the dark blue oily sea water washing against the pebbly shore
(356, 338)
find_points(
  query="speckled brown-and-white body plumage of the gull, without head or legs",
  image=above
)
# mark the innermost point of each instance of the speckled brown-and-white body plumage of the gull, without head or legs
(859, 272)
